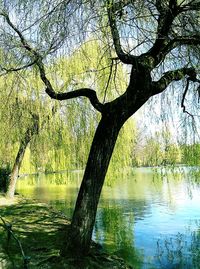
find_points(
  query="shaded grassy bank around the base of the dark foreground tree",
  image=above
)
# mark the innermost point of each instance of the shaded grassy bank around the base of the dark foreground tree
(41, 231)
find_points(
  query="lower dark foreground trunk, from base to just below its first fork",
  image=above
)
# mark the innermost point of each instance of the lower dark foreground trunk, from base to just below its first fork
(79, 236)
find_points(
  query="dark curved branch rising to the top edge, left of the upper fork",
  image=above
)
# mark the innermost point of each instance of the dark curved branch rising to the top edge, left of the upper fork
(124, 57)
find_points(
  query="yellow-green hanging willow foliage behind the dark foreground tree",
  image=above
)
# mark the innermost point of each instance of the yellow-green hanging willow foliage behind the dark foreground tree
(66, 132)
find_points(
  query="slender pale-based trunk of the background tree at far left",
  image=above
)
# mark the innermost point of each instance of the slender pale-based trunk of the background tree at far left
(17, 164)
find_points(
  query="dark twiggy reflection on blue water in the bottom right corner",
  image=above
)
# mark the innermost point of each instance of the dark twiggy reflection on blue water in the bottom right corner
(179, 252)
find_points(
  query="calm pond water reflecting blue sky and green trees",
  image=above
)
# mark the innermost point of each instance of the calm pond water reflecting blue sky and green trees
(152, 220)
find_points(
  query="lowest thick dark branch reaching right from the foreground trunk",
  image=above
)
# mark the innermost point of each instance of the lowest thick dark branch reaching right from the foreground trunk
(170, 76)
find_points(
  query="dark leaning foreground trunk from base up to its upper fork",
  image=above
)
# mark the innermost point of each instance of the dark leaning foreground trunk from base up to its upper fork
(113, 117)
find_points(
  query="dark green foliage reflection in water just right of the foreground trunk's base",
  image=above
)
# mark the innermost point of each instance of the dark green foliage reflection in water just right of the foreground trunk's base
(118, 234)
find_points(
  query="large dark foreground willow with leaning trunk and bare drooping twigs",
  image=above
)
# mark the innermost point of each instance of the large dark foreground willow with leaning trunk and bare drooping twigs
(157, 42)
